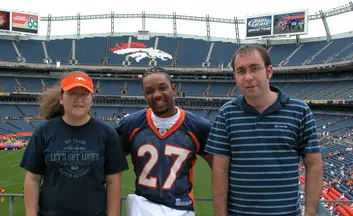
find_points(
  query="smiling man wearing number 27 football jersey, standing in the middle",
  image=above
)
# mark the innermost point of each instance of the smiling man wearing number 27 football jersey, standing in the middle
(163, 142)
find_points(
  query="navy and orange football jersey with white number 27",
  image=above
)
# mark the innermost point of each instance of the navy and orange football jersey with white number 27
(163, 164)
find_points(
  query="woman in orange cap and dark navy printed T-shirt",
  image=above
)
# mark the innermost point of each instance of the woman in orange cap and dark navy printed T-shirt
(73, 161)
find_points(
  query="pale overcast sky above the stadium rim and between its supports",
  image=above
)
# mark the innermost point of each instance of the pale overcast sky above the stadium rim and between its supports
(217, 8)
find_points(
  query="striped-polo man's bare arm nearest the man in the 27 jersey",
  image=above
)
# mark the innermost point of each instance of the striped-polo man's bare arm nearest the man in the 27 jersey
(220, 173)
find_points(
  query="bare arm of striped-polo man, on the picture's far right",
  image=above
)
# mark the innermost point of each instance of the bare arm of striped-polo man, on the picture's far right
(313, 182)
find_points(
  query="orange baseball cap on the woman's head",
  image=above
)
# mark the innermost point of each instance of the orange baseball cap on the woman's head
(75, 80)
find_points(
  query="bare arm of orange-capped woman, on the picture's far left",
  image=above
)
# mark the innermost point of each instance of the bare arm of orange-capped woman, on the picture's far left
(31, 193)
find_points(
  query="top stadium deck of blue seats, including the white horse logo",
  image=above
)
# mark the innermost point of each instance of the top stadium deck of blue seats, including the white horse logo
(162, 50)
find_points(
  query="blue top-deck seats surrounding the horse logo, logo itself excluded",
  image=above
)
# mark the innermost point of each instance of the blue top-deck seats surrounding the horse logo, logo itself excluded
(188, 52)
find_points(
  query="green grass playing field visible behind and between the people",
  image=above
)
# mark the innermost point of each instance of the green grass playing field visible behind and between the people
(11, 178)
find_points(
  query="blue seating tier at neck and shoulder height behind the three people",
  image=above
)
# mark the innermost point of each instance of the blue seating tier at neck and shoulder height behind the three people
(333, 123)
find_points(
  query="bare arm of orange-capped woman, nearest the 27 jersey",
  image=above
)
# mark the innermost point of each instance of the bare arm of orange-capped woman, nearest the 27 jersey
(113, 194)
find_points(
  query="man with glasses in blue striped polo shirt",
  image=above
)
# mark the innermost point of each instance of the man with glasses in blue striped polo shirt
(257, 139)
